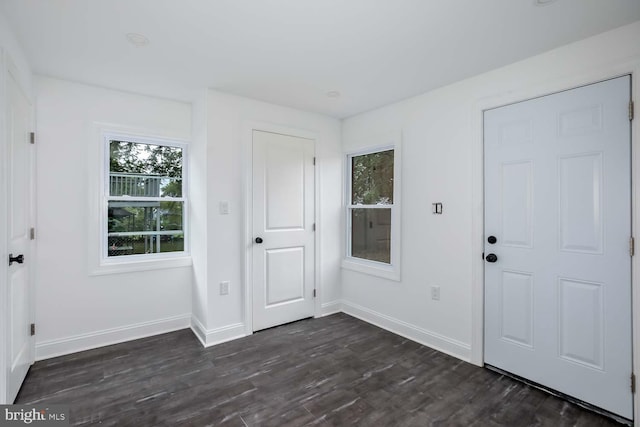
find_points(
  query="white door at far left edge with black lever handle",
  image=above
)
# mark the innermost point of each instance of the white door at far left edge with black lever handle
(20, 349)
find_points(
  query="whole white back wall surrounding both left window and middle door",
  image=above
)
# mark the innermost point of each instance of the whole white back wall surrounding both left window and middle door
(76, 309)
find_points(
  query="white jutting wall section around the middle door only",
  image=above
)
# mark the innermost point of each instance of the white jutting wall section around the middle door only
(228, 120)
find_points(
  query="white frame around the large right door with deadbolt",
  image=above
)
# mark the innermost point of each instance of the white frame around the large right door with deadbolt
(477, 185)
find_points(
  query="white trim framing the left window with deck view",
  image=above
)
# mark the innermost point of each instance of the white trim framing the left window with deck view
(99, 263)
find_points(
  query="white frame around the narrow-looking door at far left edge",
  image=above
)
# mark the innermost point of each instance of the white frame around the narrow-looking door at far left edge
(7, 66)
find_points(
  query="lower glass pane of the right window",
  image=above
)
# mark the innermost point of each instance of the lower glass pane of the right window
(371, 234)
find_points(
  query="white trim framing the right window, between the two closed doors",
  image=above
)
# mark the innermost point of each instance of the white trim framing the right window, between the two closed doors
(374, 268)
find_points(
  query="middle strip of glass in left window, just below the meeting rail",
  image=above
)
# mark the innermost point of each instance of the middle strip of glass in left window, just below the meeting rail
(128, 217)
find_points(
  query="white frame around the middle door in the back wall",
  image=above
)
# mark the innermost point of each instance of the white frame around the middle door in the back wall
(247, 156)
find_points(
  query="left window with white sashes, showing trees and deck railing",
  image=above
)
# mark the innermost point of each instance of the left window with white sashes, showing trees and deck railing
(144, 198)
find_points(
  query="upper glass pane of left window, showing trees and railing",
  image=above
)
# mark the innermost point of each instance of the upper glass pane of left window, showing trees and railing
(144, 170)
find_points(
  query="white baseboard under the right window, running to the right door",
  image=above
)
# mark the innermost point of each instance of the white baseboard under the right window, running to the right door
(436, 341)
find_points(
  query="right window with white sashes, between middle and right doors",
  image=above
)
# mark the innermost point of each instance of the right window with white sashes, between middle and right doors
(372, 211)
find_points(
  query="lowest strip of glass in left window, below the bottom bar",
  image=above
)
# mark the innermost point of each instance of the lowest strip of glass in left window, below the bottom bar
(144, 244)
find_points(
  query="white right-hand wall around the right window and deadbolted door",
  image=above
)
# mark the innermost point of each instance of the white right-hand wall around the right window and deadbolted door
(442, 159)
